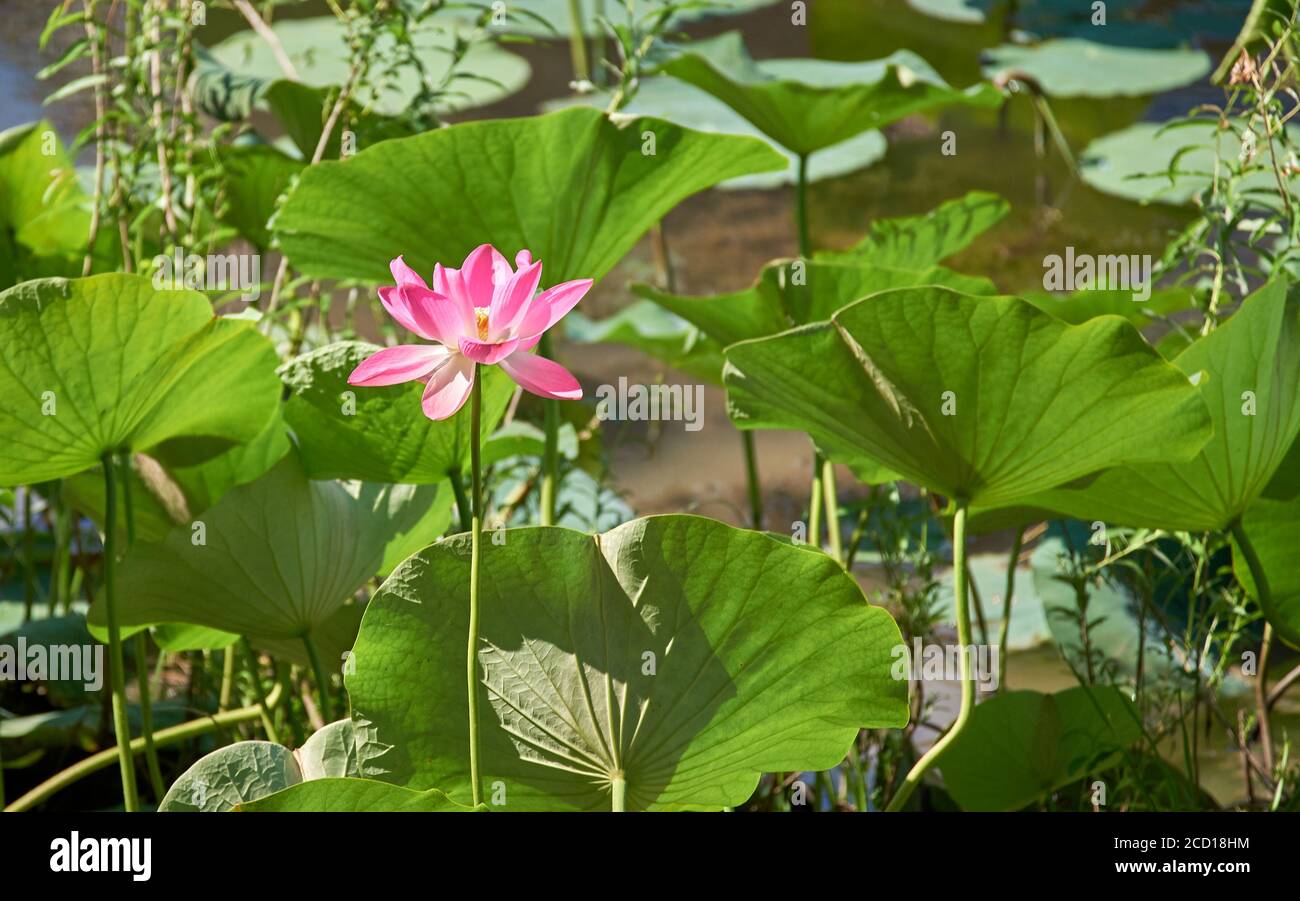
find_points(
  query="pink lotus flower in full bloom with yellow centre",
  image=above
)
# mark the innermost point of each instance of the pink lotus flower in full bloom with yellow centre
(483, 314)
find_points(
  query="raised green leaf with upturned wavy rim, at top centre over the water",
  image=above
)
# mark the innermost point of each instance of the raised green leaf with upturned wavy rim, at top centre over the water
(809, 105)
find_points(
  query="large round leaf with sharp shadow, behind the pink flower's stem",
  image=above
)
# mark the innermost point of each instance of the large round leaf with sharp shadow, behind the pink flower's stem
(679, 652)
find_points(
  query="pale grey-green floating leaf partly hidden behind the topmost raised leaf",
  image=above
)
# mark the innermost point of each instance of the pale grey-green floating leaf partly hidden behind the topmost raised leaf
(682, 103)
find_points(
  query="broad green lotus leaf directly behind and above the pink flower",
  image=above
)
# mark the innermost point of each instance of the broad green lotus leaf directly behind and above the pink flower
(575, 188)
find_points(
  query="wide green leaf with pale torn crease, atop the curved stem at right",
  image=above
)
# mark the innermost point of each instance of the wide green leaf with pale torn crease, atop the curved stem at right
(982, 400)
